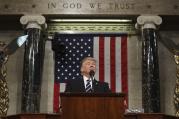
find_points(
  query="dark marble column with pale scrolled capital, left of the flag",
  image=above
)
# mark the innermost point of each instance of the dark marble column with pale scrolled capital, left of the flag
(33, 63)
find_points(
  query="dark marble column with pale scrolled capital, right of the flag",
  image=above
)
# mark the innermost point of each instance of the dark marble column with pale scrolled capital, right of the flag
(150, 67)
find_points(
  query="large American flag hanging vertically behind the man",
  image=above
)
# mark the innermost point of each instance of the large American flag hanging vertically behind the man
(110, 51)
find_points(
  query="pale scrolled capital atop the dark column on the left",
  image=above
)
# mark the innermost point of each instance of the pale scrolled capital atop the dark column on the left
(33, 21)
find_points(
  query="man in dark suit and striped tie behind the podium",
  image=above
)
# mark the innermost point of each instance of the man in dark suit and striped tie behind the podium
(86, 81)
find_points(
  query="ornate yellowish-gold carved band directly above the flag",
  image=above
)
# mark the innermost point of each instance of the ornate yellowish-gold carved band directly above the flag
(91, 28)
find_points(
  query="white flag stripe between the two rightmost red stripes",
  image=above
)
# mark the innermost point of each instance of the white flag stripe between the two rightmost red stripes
(118, 64)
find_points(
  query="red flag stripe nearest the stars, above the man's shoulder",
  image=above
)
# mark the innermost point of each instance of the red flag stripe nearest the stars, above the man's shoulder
(101, 58)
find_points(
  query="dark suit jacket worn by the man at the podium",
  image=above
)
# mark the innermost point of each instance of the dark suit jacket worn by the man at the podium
(77, 85)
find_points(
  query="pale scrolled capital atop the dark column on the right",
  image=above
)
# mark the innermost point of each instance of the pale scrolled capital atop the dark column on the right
(148, 21)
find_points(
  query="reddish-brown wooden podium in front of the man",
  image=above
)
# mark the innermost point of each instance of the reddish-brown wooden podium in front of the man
(92, 105)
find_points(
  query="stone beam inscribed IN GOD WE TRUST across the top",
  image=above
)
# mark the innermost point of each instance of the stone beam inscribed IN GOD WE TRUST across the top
(90, 7)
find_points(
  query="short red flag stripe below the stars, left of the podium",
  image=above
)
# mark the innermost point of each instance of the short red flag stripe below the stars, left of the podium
(56, 97)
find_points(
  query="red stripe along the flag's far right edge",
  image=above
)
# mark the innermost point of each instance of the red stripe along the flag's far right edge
(124, 64)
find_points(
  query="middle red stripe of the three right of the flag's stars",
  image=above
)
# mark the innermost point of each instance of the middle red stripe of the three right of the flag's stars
(112, 64)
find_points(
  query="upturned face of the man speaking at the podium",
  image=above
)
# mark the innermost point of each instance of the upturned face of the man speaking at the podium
(87, 66)
